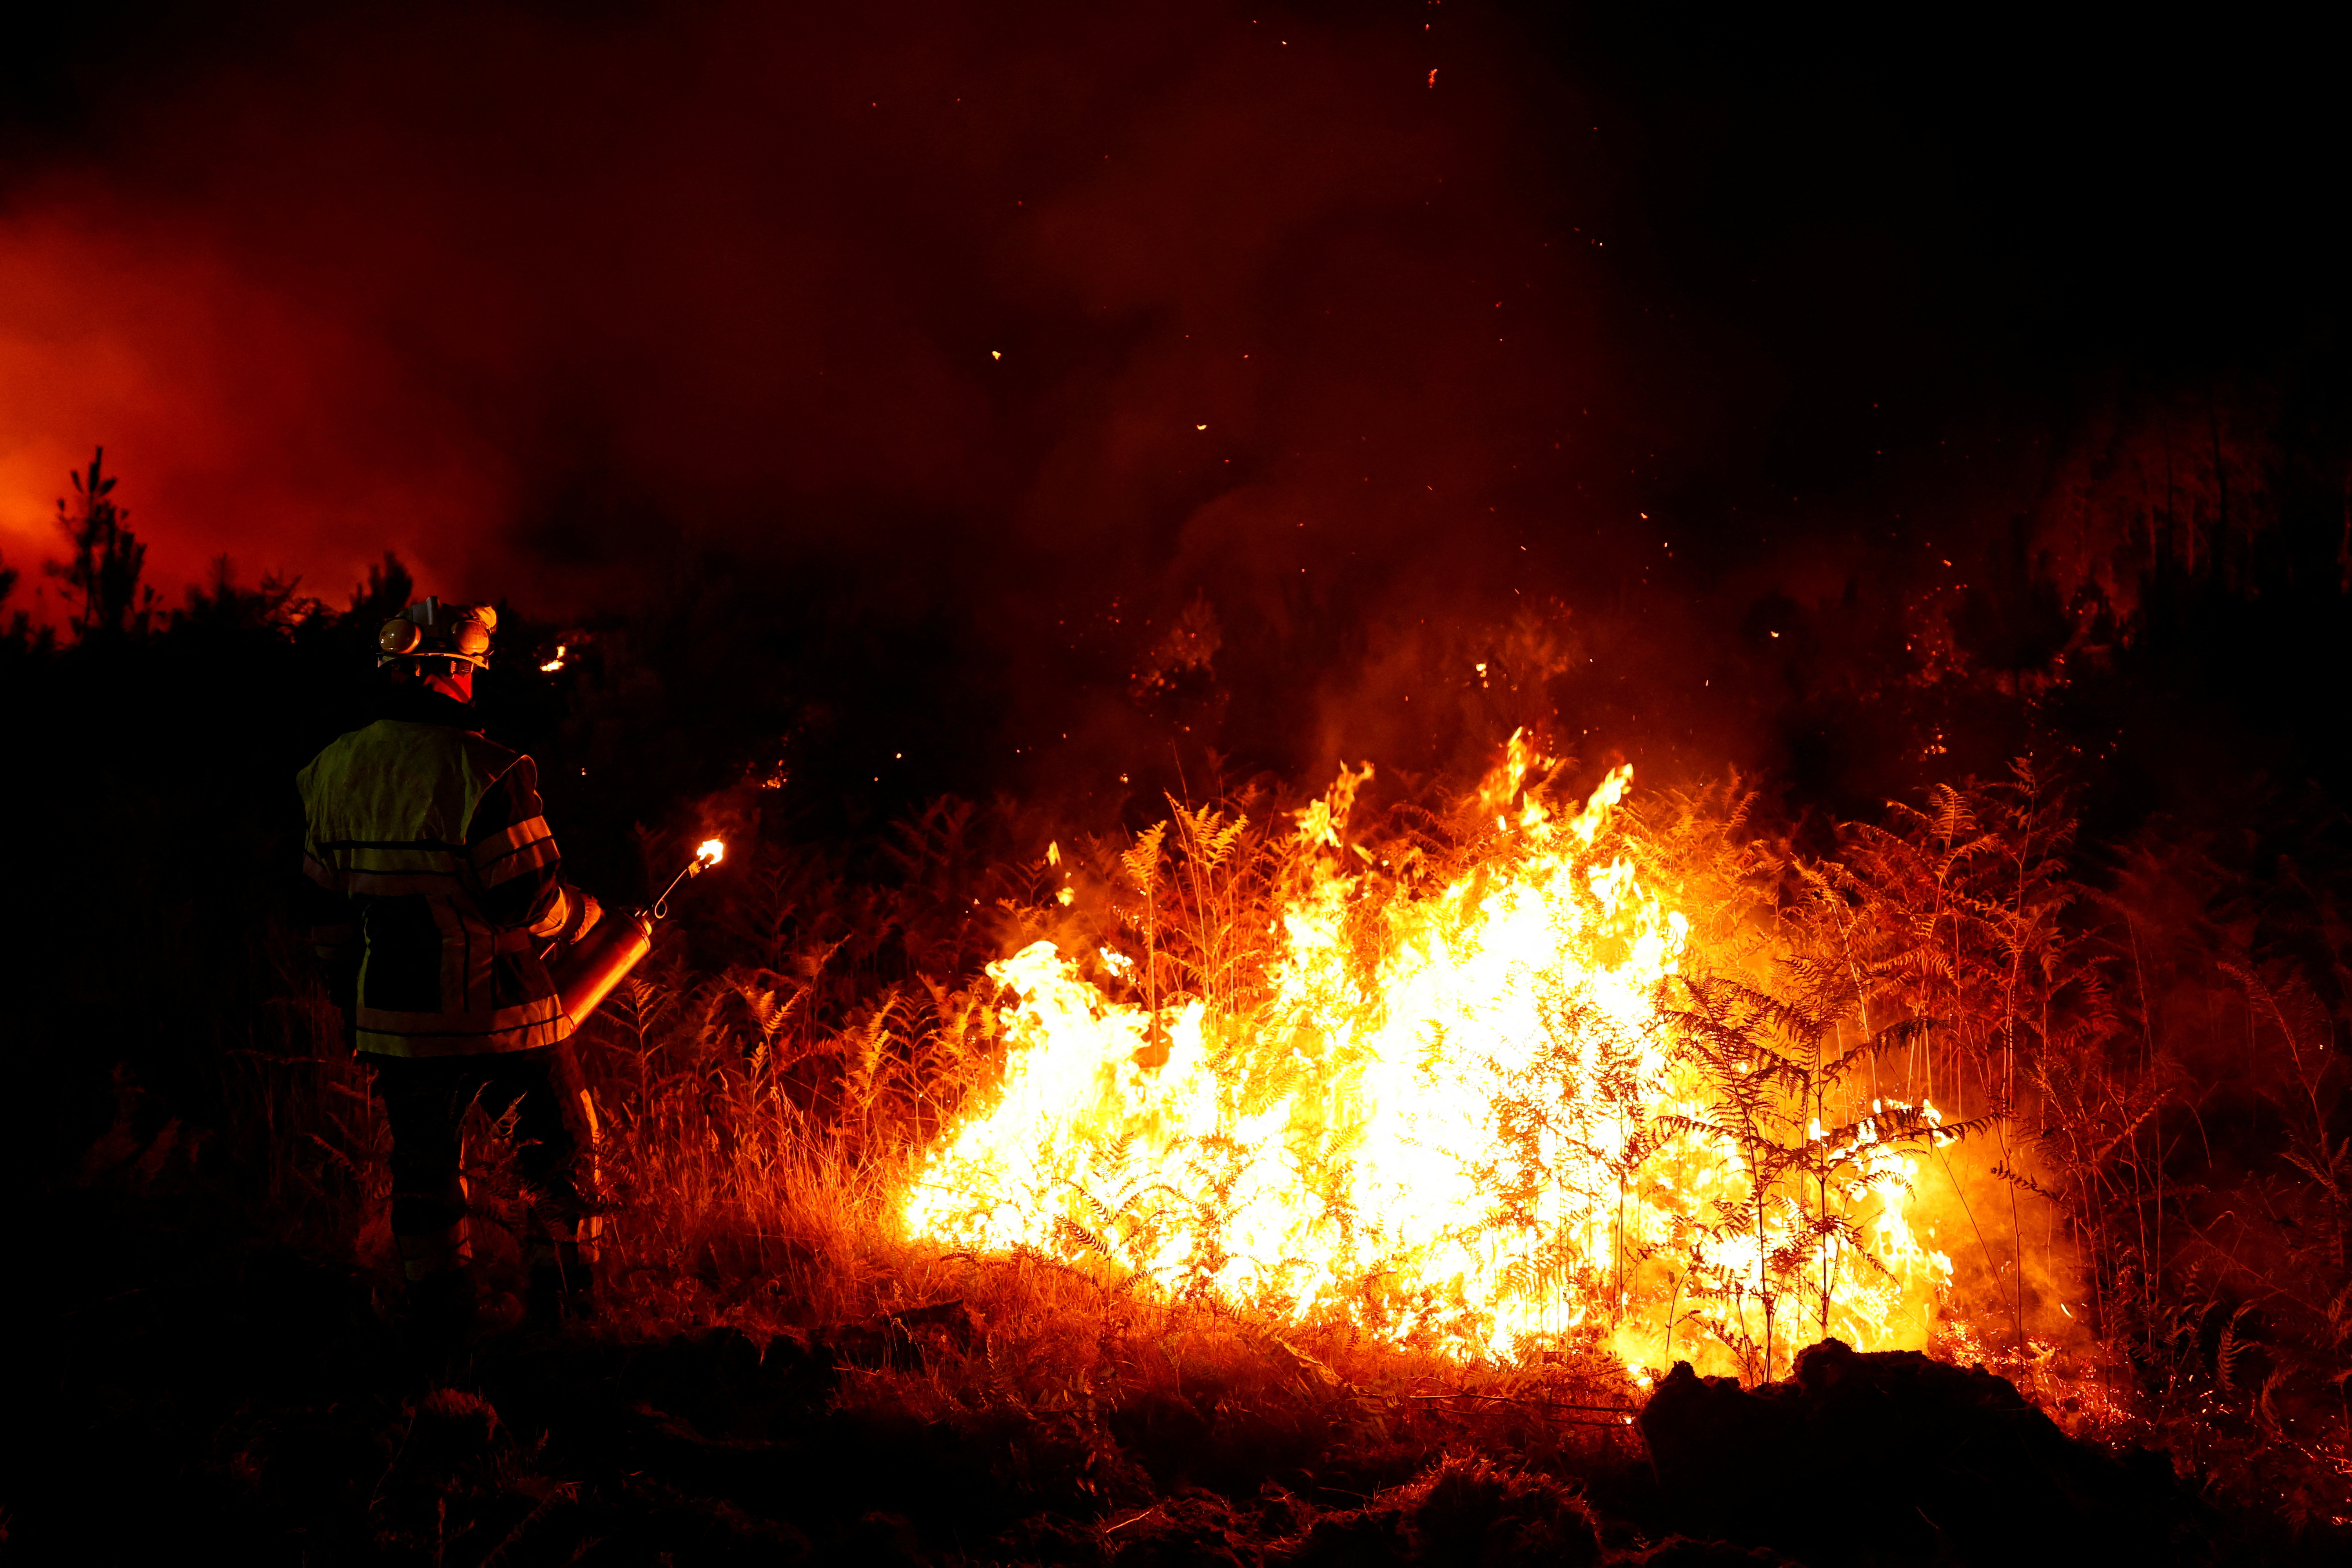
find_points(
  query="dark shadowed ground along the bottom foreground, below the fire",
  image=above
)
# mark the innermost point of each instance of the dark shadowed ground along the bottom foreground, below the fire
(180, 1383)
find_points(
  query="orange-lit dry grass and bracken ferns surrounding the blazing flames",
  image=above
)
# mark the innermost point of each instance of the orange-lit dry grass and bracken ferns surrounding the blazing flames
(763, 1113)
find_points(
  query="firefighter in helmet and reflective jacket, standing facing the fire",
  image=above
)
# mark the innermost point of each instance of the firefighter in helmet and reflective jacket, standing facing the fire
(434, 892)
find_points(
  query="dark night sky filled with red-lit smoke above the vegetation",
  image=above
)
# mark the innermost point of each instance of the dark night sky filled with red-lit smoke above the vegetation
(1394, 340)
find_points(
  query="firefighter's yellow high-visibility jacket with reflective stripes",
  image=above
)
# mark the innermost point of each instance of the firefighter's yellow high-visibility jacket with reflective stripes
(427, 852)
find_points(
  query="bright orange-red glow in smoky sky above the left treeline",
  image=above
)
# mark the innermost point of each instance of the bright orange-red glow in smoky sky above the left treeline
(236, 420)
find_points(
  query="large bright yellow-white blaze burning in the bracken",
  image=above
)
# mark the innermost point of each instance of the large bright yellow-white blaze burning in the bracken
(1457, 1125)
